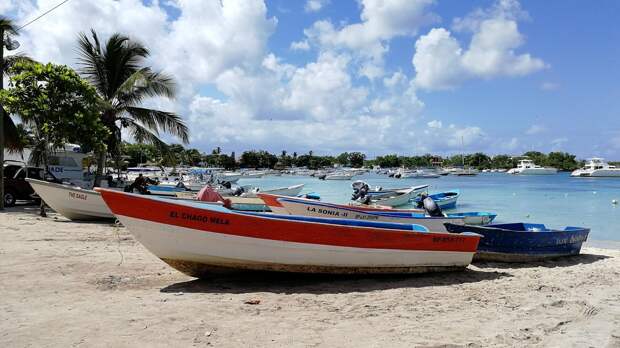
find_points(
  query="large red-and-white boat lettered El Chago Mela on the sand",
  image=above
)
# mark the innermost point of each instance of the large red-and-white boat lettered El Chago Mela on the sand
(201, 239)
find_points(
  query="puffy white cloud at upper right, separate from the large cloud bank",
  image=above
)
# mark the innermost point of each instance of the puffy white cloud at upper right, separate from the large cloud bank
(441, 63)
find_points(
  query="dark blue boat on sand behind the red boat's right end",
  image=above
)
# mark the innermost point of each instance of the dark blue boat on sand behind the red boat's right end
(522, 242)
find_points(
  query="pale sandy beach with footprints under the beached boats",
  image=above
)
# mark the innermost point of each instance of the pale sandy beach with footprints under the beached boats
(91, 284)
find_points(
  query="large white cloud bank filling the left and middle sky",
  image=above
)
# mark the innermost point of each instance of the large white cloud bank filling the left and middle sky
(238, 95)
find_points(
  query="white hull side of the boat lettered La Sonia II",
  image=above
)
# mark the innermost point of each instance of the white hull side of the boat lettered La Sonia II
(435, 224)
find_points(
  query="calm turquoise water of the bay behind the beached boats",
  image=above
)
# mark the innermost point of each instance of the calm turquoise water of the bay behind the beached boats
(555, 200)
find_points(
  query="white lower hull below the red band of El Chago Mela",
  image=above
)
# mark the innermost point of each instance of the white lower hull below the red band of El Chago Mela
(179, 245)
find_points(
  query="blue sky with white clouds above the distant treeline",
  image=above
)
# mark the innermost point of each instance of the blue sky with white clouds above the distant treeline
(378, 76)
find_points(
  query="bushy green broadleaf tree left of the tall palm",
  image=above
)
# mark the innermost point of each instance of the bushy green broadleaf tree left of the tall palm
(56, 105)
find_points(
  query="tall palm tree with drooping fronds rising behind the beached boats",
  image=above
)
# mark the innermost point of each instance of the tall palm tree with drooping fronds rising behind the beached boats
(117, 72)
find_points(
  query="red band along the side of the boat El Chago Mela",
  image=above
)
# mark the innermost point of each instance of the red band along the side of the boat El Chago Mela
(282, 230)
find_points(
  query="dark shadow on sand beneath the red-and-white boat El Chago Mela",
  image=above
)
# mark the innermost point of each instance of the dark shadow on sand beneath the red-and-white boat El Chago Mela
(290, 283)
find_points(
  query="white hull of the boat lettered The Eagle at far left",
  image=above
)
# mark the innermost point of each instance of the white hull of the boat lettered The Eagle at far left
(72, 203)
